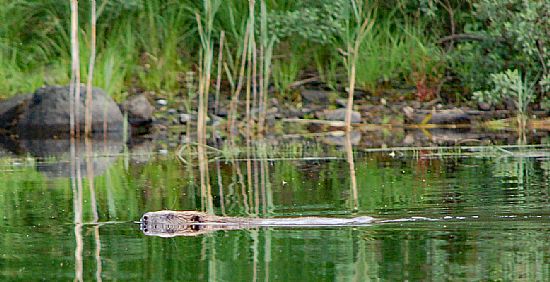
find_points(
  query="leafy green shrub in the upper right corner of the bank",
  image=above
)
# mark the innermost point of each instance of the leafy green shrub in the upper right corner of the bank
(514, 35)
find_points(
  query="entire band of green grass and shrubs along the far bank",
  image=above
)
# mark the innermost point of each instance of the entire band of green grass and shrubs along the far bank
(151, 45)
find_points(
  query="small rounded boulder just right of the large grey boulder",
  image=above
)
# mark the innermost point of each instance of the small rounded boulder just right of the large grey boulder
(140, 111)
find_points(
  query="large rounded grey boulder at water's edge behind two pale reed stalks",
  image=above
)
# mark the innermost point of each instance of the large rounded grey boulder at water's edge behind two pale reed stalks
(46, 113)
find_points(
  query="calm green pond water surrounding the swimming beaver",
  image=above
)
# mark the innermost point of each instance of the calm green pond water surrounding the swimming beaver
(492, 208)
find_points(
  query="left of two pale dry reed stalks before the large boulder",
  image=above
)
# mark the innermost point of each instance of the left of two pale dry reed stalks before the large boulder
(74, 115)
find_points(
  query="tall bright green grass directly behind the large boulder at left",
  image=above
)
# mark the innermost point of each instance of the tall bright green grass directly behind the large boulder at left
(140, 44)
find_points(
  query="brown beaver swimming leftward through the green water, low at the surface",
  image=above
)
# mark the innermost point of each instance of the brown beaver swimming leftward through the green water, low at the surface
(168, 223)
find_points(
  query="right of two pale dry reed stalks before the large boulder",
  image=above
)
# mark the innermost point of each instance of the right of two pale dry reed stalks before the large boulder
(88, 107)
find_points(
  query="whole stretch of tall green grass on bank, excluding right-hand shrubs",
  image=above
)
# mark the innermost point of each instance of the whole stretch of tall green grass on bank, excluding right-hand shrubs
(151, 45)
